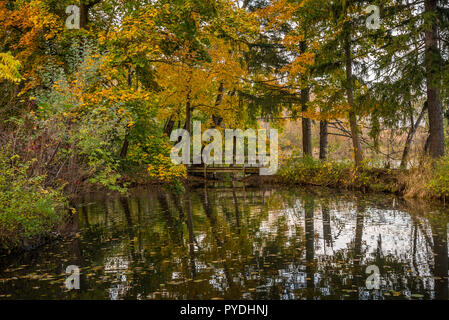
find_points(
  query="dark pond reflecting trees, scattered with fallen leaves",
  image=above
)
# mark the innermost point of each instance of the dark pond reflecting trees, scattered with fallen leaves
(223, 241)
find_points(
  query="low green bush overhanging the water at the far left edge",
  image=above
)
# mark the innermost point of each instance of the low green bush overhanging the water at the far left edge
(27, 209)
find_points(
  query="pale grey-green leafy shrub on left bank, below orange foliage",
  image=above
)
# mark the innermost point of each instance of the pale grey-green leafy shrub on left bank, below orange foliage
(91, 135)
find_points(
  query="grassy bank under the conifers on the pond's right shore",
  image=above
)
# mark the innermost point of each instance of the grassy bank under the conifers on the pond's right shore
(430, 182)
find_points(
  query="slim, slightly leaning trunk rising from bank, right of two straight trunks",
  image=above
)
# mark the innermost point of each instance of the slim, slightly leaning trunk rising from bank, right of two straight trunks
(358, 155)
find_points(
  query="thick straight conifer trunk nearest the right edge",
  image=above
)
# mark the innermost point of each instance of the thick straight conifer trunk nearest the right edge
(436, 146)
